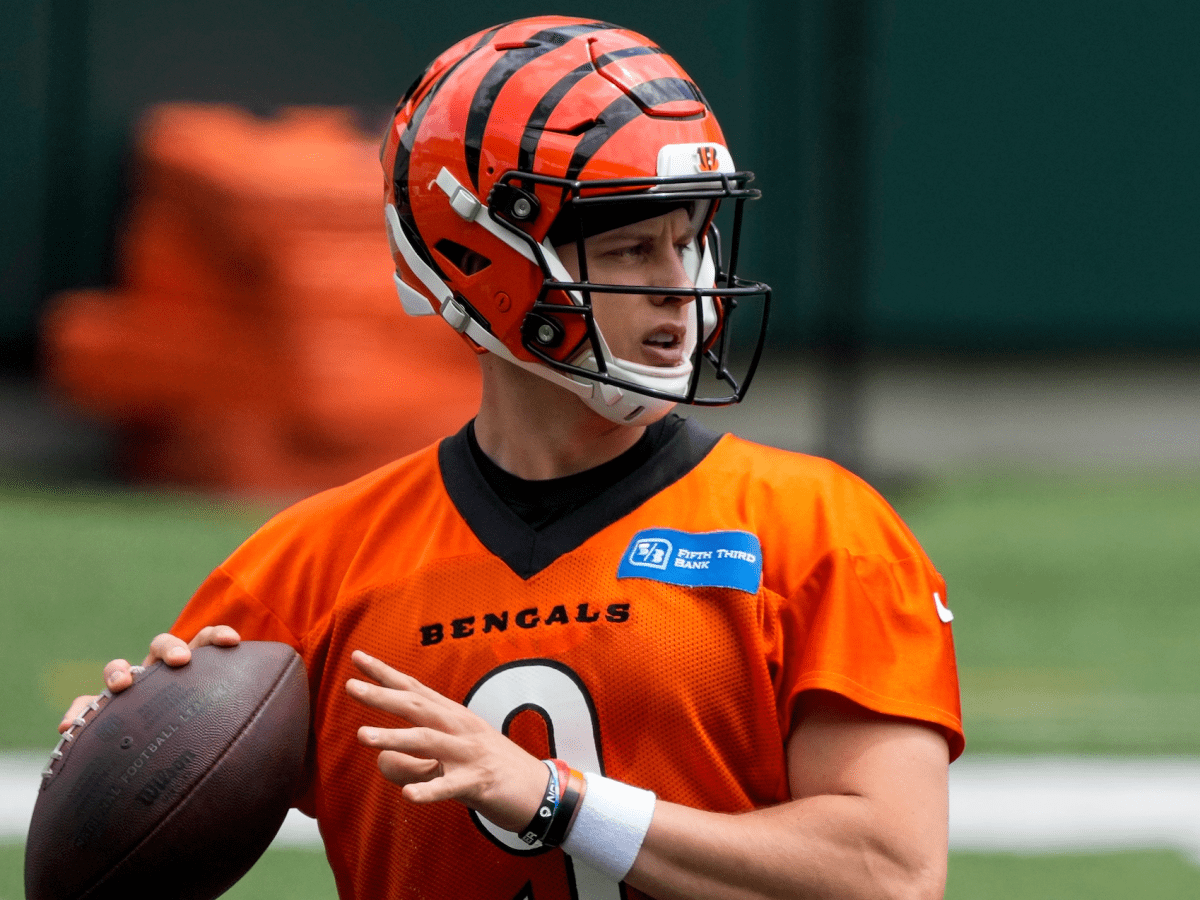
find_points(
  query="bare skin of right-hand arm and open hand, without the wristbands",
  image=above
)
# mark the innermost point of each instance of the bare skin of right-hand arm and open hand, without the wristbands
(869, 814)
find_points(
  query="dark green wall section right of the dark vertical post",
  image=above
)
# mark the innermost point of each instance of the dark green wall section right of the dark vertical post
(1039, 176)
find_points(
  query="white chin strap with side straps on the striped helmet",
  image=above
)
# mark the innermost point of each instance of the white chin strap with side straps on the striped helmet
(615, 404)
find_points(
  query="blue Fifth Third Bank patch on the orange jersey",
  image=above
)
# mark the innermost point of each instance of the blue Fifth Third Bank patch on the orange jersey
(712, 560)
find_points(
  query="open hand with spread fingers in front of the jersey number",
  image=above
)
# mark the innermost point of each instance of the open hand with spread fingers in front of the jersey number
(448, 753)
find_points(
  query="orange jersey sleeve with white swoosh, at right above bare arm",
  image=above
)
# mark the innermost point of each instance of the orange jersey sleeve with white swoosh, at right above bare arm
(867, 617)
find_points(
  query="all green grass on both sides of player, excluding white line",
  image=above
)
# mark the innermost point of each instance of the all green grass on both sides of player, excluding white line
(1077, 621)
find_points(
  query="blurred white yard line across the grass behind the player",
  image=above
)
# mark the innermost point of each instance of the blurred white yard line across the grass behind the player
(1007, 805)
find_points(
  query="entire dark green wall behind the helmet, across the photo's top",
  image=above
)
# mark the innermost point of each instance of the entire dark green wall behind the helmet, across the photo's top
(1010, 177)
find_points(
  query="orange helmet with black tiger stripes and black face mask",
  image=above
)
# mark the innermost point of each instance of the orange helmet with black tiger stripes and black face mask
(542, 133)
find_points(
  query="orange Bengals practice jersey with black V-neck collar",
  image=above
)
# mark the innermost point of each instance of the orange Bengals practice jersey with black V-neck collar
(661, 635)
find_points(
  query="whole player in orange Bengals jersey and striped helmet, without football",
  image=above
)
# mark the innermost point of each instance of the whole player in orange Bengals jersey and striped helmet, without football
(585, 649)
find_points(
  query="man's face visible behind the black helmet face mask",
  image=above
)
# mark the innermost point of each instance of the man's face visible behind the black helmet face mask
(653, 331)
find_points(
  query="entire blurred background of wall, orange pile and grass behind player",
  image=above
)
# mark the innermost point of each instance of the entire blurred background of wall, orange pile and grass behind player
(981, 223)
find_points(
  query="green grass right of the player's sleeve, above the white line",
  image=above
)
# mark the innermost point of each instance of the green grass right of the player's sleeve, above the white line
(1077, 609)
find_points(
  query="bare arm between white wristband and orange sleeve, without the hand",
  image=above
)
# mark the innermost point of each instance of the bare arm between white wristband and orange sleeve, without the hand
(868, 819)
